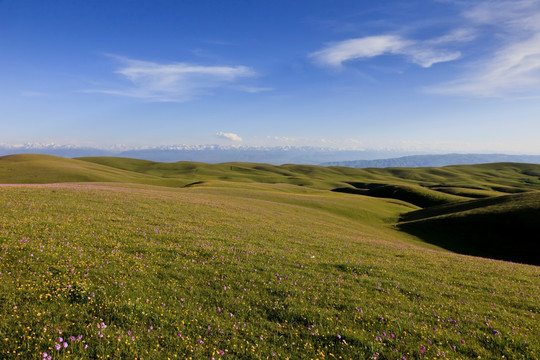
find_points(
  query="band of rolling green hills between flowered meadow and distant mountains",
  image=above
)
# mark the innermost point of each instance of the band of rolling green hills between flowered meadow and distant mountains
(464, 180)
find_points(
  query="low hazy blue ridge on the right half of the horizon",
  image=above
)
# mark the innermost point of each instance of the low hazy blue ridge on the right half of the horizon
(437, 160)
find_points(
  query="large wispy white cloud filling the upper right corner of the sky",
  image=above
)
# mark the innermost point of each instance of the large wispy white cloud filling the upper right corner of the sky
(513, 67)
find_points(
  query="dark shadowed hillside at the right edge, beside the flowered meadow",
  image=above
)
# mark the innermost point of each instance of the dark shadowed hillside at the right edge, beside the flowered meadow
(503, 227)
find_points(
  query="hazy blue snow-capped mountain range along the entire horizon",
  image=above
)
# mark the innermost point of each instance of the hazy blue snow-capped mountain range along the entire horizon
(270, 155)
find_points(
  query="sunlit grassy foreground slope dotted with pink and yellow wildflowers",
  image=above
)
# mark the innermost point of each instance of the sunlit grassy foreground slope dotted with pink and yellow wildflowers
(244, 271)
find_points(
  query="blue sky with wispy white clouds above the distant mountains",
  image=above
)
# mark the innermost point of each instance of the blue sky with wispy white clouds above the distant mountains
(426, 75)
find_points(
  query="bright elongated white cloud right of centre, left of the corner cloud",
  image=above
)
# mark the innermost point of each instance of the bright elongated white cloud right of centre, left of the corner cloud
(421, 53)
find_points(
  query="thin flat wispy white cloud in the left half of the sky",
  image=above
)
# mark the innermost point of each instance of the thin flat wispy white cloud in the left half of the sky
(174, 82)
